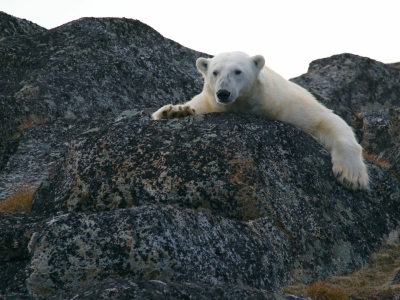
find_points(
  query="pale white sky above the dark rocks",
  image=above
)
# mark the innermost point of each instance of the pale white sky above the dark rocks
(288, 33)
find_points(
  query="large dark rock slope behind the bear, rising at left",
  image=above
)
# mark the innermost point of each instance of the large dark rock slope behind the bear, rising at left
(86, 69)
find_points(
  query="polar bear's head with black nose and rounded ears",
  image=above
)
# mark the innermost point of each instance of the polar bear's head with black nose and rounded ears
(230, 76)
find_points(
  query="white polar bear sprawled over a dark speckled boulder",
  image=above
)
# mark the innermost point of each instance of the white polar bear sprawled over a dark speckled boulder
(236, 82)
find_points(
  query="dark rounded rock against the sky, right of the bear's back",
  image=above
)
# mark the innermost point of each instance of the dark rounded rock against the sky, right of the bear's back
(349, 84)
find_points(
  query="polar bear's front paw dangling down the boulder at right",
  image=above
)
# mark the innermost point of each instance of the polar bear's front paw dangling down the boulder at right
(353, 175)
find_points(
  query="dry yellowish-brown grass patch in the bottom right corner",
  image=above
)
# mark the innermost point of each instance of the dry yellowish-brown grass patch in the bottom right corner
(372, 282)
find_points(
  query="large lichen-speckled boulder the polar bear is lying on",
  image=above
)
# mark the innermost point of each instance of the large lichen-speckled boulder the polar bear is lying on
(253, 175)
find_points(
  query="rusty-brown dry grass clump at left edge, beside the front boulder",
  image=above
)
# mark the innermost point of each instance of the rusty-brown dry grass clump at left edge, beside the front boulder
(19, 201)
